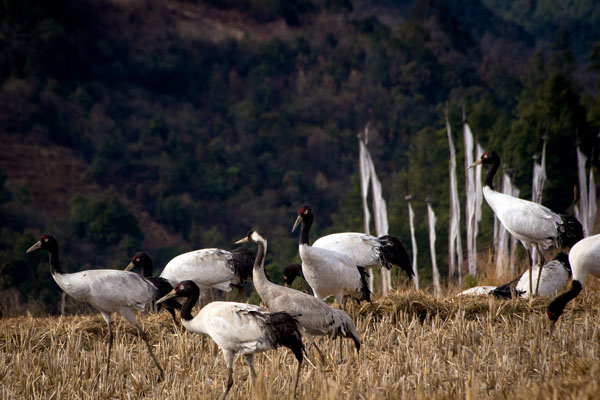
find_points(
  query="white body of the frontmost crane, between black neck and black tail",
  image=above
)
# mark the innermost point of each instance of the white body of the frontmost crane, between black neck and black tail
(235, 327)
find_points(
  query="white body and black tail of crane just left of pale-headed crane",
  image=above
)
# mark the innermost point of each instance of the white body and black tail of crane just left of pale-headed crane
(211, 268)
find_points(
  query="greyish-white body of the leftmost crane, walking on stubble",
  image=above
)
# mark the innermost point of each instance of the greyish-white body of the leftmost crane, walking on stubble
(109, 290)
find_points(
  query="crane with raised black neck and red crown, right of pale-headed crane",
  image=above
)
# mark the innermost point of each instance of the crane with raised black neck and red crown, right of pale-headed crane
(328, 272)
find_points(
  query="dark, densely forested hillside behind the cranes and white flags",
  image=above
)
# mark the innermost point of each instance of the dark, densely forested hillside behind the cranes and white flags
(176, 125)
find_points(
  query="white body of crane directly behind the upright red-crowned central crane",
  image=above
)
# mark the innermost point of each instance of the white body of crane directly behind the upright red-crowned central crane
(361, 248)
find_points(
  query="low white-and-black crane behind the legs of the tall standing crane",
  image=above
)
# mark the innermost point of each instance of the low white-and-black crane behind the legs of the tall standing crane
(555, 276)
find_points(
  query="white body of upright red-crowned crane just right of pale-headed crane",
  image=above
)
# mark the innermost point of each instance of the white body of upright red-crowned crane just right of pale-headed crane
(330, 273)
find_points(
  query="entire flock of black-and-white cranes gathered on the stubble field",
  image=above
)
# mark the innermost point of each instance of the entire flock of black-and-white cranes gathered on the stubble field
(335, 265)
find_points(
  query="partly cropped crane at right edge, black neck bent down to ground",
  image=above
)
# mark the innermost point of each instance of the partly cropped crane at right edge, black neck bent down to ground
(585, 259)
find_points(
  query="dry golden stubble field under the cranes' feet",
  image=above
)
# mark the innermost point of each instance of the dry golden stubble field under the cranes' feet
(413, 346)
